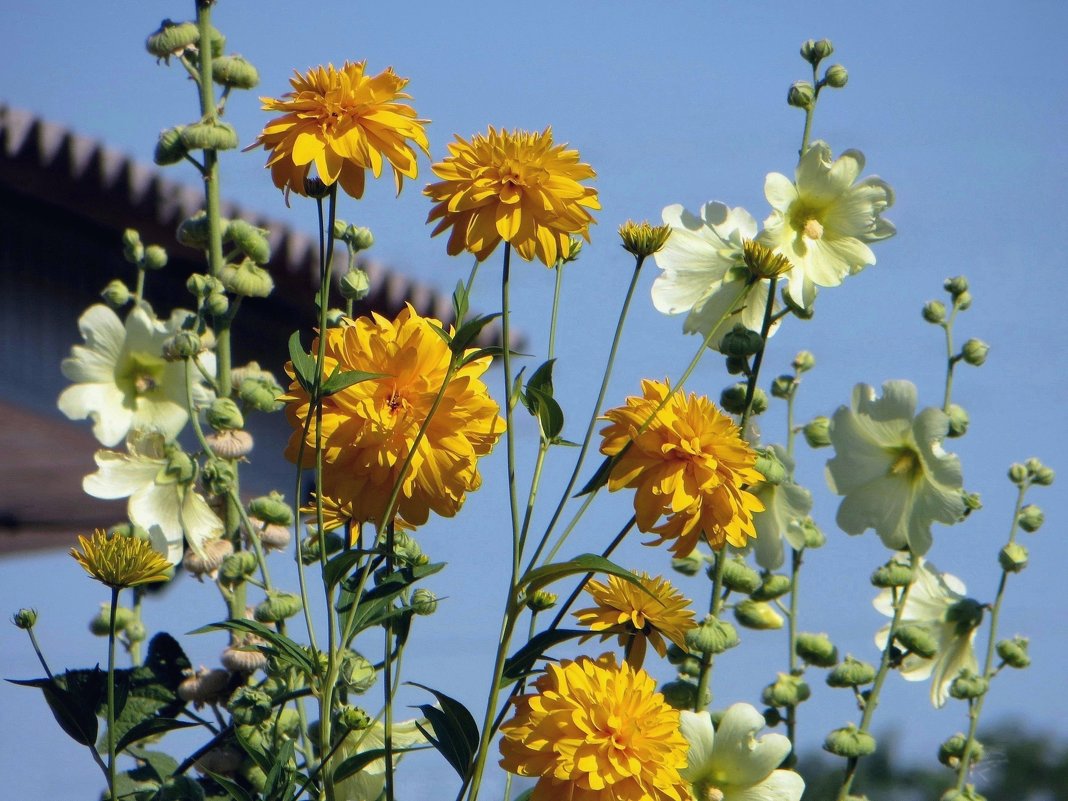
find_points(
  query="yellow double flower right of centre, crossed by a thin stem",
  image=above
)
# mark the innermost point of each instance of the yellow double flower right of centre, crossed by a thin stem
(687, 461)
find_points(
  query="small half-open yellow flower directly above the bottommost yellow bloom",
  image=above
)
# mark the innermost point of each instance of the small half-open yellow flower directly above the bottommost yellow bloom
(649, 615)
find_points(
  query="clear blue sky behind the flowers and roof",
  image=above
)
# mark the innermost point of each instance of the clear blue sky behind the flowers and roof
(961, 106)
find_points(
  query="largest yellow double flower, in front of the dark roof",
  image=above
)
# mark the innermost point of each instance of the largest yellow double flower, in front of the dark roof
(370, 428)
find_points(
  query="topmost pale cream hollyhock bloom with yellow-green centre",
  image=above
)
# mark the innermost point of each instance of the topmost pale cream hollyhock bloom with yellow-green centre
(825, 219)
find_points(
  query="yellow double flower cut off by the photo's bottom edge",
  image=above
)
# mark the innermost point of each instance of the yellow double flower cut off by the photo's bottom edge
(594, 732)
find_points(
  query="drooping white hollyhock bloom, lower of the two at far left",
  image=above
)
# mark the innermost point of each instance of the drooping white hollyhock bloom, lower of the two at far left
(163, 500)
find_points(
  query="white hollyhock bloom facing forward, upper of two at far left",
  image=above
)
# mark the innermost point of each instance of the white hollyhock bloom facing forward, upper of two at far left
(121, 381)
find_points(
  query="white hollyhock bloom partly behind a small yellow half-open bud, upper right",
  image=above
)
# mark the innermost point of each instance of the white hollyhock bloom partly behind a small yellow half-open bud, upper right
(704, 272)
